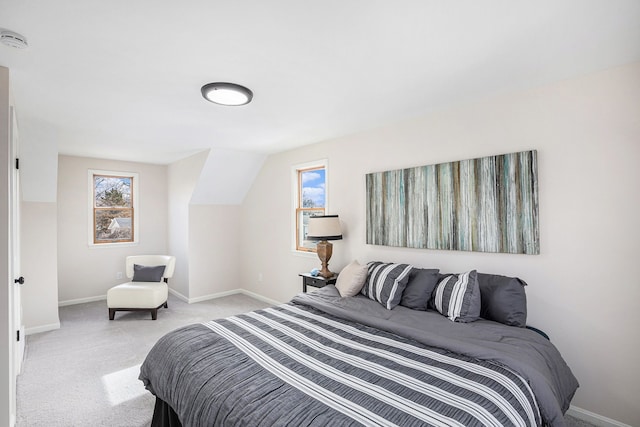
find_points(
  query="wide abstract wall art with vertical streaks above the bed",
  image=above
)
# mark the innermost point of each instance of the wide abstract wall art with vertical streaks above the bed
(489, 204)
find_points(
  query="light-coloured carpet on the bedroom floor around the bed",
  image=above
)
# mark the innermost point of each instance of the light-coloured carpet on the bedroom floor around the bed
(86, 373)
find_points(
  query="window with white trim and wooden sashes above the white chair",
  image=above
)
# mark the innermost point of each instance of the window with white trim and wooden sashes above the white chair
(113, 207)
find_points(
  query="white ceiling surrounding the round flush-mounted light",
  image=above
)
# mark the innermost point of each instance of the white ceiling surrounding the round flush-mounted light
(121, 79)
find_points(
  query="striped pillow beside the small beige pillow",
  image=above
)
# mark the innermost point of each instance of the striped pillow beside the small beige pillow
(386, 282)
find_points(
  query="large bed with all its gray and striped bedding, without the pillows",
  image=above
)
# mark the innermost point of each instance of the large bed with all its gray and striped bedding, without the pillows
(327, 360)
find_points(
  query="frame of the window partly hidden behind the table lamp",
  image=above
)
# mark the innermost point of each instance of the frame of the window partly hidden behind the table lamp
(296, 173)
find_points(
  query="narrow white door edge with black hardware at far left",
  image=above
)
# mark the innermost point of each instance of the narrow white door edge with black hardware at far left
(15, 294)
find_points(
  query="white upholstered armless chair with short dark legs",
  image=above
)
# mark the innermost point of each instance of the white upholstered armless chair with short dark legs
(147, 290)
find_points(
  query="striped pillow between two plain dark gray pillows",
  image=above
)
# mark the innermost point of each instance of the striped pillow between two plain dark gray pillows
(457, 296)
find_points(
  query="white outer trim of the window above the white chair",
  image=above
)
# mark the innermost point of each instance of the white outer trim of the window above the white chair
(134, 207)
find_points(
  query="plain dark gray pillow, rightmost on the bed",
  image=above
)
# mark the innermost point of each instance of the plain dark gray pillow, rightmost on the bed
(503, 299)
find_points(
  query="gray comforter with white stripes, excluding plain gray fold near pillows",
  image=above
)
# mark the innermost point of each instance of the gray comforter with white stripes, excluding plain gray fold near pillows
(298, 365)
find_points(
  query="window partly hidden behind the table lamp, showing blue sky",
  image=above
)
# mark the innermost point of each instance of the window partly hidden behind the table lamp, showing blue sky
(310, 181)
